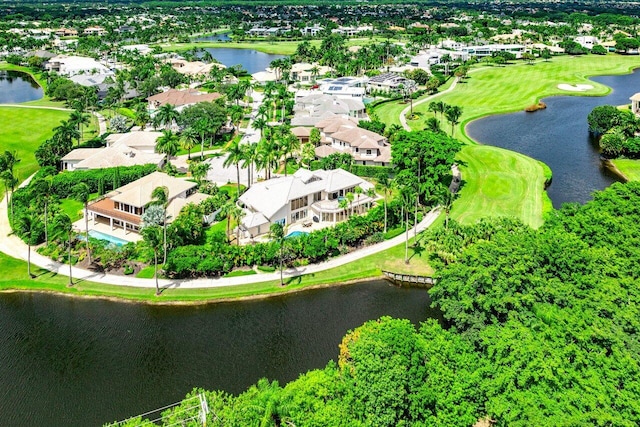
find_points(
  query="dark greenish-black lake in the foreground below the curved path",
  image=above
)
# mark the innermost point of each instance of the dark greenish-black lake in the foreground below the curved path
(77, 362)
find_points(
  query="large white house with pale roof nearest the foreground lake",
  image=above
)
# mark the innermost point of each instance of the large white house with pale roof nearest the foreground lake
(306, 196)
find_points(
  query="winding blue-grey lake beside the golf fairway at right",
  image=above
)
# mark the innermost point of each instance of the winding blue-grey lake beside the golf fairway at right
(559, 137)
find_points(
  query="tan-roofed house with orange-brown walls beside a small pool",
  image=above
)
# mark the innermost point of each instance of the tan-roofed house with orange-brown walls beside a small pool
(123, 207)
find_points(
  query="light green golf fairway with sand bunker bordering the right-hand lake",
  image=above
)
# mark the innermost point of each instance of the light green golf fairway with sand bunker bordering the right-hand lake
(499, 182)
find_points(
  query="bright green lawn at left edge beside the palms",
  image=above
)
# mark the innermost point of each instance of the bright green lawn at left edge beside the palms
(23, 130)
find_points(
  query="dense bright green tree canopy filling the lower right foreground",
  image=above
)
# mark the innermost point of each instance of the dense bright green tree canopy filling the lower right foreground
(541, 328)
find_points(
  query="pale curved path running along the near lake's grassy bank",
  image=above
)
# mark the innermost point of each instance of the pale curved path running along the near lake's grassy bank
(16, 248)
